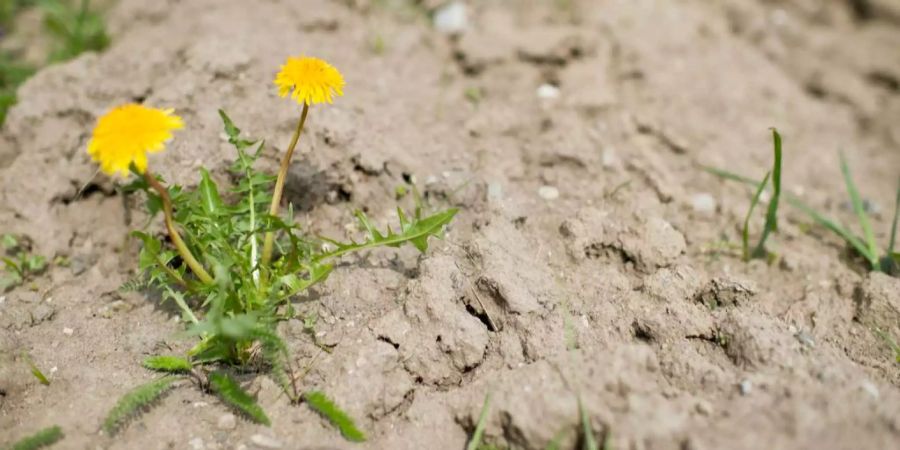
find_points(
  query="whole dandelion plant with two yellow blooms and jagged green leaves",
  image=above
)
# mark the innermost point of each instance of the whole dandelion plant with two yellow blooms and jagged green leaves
(235, 263)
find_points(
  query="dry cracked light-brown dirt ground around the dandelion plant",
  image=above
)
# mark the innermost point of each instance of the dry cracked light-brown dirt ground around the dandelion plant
(571, 133)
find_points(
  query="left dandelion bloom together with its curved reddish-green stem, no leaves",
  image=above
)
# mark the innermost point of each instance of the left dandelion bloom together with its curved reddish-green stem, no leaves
(122, 139)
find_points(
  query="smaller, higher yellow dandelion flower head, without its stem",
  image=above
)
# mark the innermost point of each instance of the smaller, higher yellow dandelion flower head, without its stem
(309, 80)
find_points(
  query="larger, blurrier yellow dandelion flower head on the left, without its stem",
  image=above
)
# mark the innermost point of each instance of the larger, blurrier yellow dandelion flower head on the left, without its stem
(127, 133)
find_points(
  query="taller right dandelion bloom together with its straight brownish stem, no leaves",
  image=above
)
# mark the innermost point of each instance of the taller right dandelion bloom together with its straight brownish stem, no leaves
(309, 81)
